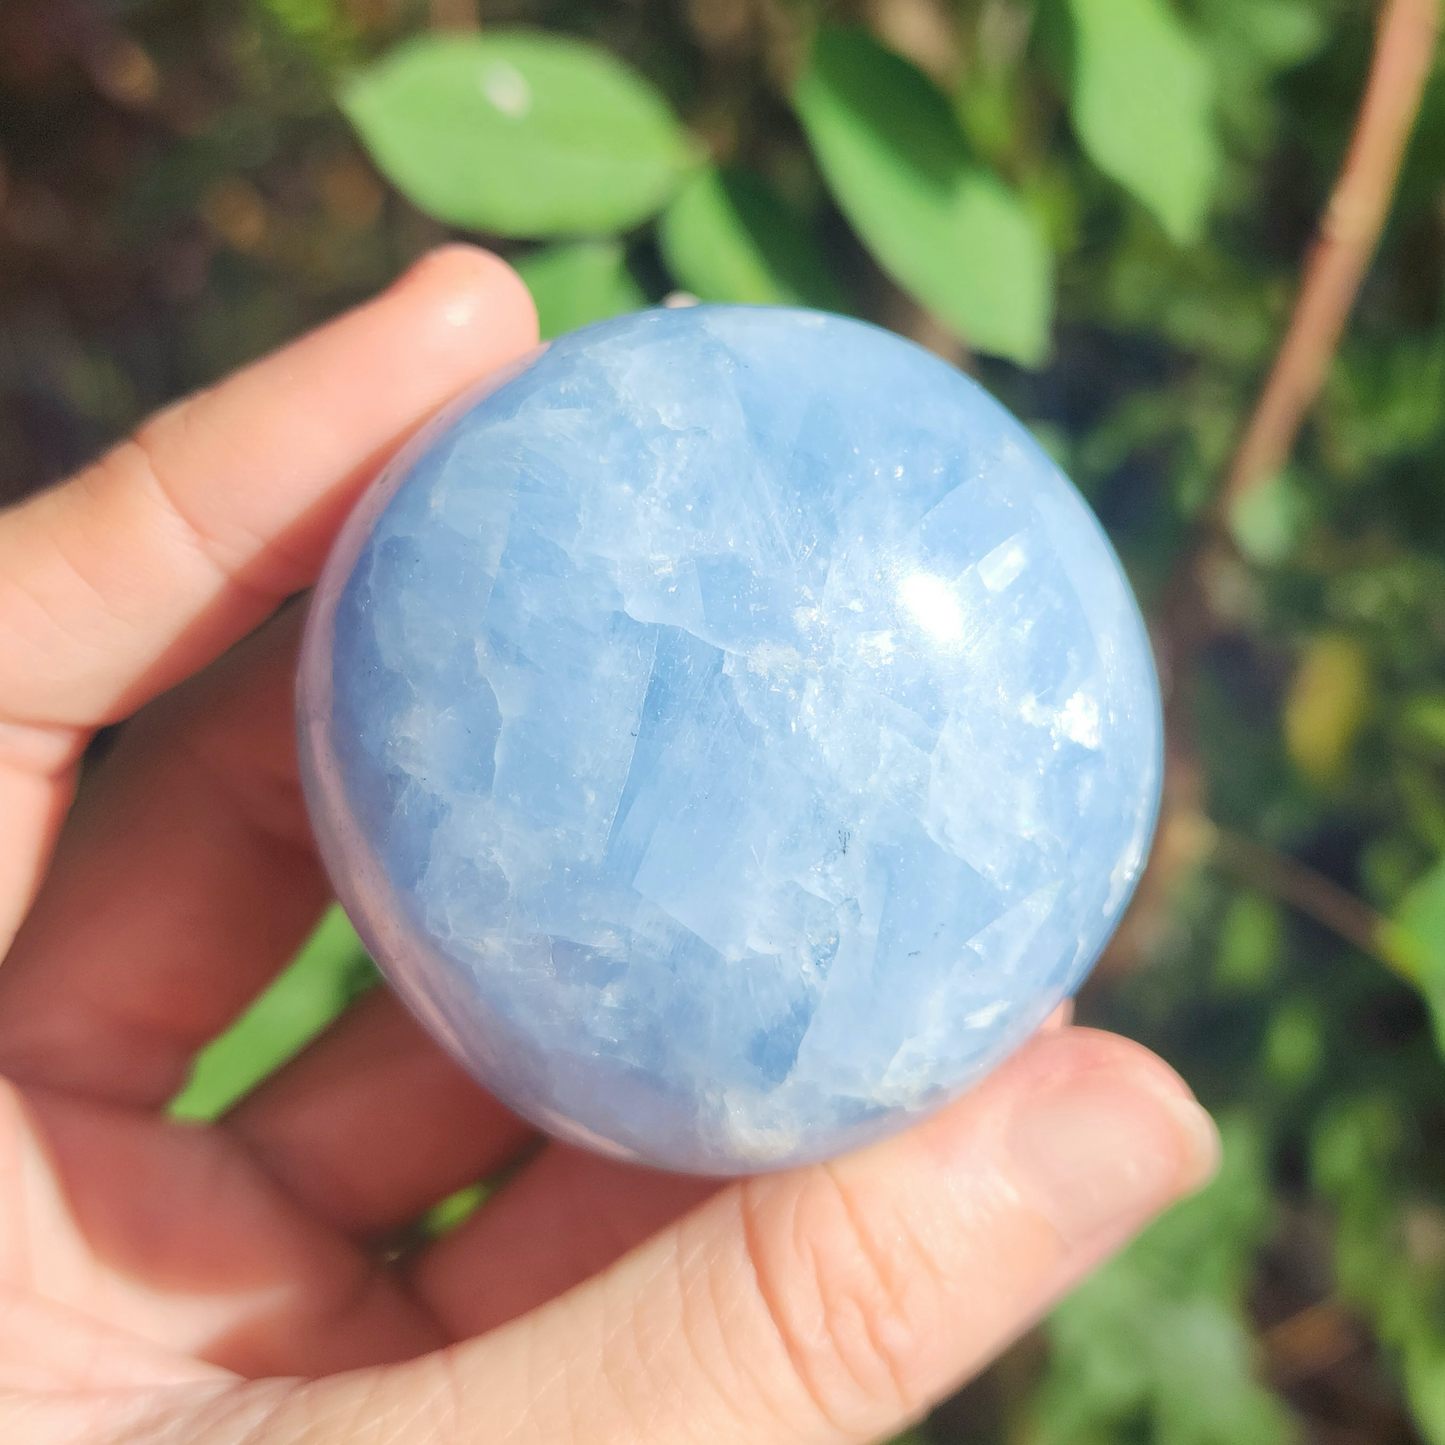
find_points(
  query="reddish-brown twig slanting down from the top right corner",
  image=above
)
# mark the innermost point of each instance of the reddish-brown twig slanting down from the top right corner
(1349, 232)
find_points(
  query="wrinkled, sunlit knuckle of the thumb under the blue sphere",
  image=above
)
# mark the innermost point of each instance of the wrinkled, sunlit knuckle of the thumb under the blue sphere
(855, 1295)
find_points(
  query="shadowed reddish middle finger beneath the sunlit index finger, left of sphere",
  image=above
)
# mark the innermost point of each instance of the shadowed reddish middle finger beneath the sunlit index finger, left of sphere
(184, 882)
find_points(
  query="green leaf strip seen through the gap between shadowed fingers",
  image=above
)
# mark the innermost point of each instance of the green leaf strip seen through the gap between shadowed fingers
(326, 976)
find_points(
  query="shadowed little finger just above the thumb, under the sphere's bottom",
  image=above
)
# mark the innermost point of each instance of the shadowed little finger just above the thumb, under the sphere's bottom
(563, 1219)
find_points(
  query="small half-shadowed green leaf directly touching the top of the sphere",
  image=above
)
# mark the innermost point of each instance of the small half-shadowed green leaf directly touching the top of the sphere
(728, 238)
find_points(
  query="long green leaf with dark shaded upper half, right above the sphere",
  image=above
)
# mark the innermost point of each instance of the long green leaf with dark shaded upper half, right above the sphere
(944, 228)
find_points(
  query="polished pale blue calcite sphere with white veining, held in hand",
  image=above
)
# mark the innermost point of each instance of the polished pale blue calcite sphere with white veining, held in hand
(732, 735)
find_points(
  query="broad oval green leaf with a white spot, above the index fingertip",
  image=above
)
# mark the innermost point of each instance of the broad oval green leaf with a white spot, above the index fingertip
(519, 134)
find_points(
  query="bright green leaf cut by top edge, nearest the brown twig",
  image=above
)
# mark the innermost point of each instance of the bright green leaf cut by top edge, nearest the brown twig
(1144, 93)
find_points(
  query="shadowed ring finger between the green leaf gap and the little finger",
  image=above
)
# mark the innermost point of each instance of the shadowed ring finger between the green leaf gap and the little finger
(374, 1123)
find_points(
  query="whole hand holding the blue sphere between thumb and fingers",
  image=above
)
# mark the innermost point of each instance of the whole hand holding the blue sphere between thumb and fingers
(163, 1282)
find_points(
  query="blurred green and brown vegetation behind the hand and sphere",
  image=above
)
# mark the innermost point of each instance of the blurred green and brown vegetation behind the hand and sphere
(1099, 209)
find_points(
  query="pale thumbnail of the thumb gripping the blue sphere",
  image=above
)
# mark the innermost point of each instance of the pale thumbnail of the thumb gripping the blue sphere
(1103, 1152)
